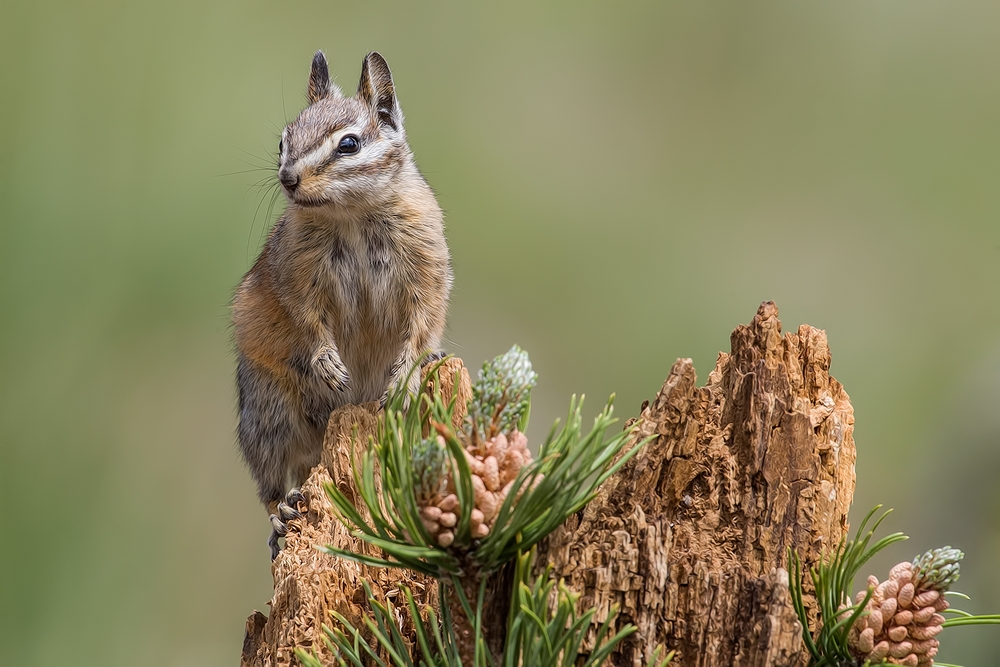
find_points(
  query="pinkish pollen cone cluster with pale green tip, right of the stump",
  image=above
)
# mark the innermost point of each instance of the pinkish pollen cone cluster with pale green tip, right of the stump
(905, 611)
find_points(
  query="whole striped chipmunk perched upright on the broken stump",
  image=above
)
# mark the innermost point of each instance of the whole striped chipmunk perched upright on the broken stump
(351, 287)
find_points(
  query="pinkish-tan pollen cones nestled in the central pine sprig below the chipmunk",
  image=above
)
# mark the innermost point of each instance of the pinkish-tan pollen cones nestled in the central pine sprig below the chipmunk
(494, 465)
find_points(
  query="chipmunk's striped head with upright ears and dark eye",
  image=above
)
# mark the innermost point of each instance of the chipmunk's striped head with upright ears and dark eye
(344, 151)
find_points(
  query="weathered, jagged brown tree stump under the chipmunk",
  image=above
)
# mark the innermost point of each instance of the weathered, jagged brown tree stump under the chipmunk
(689, 539)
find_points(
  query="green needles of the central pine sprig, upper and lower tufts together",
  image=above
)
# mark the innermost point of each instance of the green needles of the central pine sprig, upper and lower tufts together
(565, 477)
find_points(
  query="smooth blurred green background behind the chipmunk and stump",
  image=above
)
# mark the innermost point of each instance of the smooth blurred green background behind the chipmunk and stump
(624, 184)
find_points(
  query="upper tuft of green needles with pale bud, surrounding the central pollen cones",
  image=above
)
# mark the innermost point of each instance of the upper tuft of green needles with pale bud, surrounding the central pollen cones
(565, 477)
